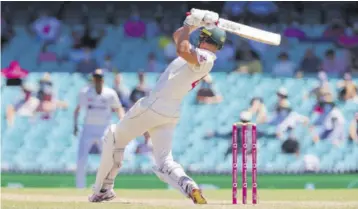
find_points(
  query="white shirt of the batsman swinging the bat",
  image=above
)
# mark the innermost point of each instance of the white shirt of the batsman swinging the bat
(177, 80)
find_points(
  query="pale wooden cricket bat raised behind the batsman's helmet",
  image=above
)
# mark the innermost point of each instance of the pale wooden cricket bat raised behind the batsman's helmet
(248, 32)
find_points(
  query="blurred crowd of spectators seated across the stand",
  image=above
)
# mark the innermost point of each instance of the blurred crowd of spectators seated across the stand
(246, 56)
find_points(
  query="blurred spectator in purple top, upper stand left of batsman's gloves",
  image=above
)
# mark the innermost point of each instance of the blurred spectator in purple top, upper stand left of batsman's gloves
(135, 27)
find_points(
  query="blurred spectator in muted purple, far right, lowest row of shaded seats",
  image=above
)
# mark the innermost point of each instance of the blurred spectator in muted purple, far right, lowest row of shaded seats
(333, 65)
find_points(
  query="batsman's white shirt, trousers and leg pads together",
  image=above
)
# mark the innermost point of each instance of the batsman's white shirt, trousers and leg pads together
(158, 114)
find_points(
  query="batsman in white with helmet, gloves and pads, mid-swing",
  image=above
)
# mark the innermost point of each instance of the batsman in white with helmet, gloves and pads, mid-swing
(158, 112)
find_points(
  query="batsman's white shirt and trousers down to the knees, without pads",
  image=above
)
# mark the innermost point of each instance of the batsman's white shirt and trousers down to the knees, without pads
(158, 112)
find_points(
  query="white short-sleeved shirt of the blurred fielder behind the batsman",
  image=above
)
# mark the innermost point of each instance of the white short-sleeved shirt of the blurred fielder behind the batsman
(98, 106)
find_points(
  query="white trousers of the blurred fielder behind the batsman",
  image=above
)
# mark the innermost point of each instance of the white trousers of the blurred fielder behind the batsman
(90, 135)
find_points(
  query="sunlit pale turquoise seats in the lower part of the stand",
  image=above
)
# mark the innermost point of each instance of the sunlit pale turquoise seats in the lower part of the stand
(50, 145)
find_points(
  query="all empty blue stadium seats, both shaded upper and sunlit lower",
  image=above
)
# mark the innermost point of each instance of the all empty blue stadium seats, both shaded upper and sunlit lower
(33, 144)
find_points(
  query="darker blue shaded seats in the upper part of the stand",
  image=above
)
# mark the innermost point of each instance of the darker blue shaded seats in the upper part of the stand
(128, 53)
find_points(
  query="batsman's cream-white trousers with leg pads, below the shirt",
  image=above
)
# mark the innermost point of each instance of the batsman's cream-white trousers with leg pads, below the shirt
(140, 118)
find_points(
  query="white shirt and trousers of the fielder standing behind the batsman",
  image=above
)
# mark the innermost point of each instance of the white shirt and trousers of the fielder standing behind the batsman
(98, 116)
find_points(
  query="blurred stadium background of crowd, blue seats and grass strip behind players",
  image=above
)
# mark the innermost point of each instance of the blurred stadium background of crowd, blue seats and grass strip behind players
(302, 94)
